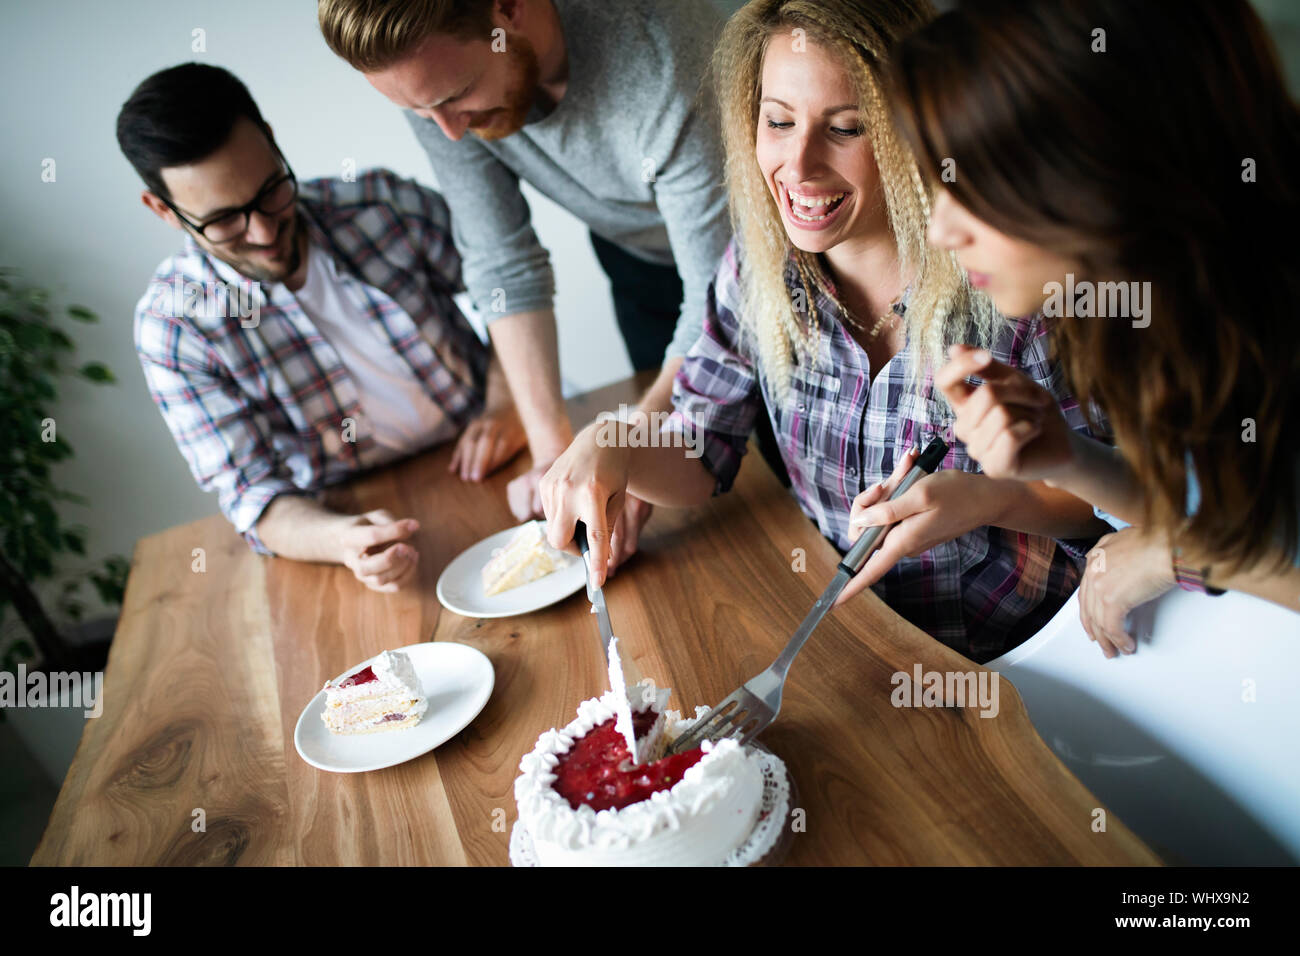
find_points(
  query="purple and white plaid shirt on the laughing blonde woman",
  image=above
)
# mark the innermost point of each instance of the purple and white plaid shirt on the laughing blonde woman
(842, 432)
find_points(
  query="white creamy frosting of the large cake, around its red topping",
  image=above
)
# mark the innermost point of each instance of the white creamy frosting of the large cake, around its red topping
(699, 821)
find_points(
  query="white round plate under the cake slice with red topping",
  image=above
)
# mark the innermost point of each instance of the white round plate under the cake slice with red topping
(457, 680)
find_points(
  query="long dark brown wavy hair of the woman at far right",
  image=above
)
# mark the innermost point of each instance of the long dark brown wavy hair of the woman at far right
(1150, 142)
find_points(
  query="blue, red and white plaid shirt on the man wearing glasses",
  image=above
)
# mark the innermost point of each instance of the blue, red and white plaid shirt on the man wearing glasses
(253, 393)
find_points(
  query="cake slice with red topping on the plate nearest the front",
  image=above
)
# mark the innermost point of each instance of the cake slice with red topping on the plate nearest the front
(382, 697)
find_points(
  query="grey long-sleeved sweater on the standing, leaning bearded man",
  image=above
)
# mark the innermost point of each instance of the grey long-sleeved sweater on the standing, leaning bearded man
(632, 150)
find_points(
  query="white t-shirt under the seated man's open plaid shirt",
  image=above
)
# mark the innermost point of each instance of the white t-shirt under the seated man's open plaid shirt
(398, 413)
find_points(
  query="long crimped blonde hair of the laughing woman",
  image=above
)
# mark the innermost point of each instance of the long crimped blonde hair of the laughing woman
(942, 302)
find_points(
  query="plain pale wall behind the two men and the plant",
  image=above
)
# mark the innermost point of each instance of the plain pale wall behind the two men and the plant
(66, 70)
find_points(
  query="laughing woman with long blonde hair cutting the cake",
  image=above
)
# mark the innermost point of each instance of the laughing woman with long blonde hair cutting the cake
(829, 314)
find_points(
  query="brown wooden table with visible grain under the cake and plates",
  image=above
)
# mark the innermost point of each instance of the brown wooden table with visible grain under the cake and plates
(210, 672)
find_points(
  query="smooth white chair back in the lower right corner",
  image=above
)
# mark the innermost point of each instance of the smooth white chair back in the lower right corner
(1195, 739)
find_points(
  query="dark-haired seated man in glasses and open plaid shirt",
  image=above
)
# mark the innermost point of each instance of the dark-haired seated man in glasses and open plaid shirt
(307, 331)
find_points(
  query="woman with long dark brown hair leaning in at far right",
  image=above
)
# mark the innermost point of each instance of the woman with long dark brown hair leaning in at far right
(1143, 155)
